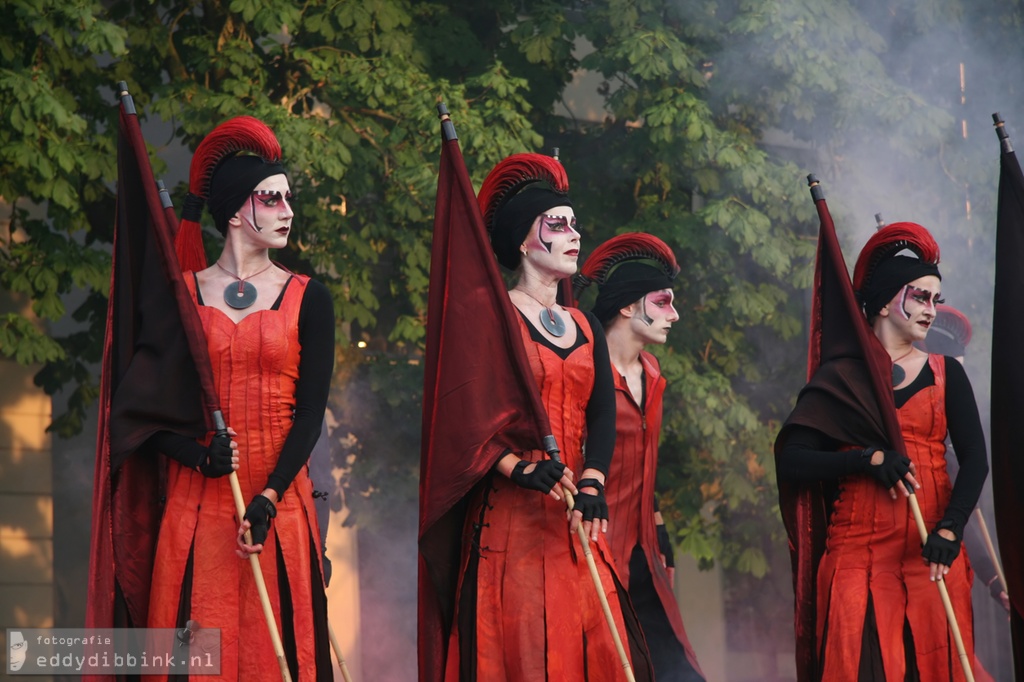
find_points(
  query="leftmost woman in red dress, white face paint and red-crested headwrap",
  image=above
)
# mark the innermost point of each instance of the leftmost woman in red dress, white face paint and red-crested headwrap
(271, 339)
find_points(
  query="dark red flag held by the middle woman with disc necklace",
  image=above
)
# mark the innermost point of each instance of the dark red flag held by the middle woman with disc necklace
(480, 397)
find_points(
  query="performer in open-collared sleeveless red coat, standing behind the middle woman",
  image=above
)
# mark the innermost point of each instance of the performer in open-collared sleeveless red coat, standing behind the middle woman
(634, 274)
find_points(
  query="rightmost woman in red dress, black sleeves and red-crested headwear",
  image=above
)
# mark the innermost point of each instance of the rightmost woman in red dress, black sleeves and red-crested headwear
(879, 615)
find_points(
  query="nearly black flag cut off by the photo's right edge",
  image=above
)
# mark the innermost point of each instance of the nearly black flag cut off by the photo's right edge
(1008, 388)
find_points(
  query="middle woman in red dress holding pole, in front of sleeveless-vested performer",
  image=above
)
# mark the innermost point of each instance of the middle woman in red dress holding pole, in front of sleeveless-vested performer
(527, 608)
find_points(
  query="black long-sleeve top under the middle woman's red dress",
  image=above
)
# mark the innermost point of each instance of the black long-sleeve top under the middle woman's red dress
(602, 407)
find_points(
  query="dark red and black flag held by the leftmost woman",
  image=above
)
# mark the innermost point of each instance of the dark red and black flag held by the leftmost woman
(150, 382)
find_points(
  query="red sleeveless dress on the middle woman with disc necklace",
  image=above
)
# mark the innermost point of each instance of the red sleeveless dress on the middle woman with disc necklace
(538, 617)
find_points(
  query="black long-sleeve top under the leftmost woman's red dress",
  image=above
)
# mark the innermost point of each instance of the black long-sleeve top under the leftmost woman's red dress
(312, 389)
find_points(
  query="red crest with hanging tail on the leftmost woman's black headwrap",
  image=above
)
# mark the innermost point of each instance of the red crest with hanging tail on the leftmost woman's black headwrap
(243, 134)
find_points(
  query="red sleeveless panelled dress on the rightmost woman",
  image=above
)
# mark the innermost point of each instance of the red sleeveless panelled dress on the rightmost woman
(874, 549)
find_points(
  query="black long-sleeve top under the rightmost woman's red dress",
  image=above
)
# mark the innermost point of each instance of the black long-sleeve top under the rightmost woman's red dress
(810, 455)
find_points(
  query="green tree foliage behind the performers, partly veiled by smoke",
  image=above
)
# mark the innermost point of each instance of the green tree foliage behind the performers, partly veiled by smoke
(693, 93)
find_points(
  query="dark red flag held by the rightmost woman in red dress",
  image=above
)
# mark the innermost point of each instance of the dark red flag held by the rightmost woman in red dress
(857, 405)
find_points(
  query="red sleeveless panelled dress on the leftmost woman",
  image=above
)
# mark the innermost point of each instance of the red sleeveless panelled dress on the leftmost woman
(255, 367)
